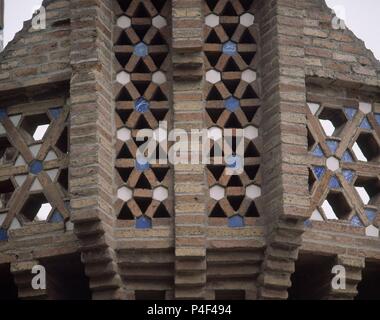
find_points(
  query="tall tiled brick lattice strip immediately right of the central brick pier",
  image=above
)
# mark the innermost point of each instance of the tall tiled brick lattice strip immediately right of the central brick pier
(233, 102)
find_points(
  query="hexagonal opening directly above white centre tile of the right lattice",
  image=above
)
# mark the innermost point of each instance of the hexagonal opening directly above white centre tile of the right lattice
(332, 121)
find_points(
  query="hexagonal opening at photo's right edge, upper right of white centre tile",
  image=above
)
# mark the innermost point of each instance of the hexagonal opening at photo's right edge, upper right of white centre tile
(366, 148)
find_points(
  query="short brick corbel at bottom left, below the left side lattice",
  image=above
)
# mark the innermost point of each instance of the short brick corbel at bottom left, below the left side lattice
(22, 274)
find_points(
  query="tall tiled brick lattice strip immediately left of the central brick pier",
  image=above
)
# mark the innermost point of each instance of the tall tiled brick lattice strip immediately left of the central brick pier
(143, 96)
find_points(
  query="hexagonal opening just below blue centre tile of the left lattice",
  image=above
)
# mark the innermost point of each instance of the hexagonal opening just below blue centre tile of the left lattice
(36, 208)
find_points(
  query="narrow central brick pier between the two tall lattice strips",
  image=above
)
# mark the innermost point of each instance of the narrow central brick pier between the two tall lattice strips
(190, 188)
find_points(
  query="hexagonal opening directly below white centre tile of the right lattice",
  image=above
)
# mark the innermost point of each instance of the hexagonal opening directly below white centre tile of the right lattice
(336, 206)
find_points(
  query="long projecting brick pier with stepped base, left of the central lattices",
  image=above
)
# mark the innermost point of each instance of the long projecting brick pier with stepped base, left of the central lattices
(91, 135)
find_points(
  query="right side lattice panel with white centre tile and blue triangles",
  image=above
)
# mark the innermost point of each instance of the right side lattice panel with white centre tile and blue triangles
(344, 147)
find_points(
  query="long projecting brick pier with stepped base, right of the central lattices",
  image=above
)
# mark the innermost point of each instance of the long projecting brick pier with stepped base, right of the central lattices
(285, 177)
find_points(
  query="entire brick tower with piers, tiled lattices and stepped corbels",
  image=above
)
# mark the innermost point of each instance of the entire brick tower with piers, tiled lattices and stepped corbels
(107, 224)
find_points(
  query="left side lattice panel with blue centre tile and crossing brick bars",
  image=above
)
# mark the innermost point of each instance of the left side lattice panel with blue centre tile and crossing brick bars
(33, 164)
